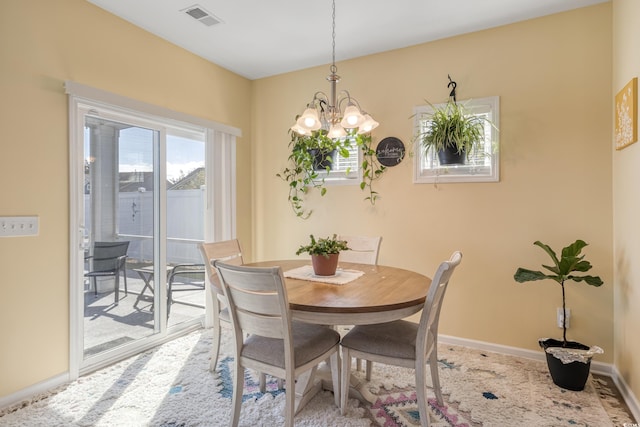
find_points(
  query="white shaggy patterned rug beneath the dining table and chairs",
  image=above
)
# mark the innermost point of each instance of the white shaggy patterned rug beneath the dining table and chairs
(171, 386)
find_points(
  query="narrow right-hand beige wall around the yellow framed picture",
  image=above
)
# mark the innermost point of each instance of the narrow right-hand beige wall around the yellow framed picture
(626, 203)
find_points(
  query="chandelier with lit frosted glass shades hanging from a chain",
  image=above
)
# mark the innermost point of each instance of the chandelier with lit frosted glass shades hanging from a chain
(325, 112)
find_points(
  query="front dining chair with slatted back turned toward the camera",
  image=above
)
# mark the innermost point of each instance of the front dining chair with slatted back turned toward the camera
(275, 344)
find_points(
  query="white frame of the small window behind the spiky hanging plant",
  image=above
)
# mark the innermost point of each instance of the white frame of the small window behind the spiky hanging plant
(484, 168)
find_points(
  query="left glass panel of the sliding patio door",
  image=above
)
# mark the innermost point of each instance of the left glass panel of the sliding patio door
(120, 206)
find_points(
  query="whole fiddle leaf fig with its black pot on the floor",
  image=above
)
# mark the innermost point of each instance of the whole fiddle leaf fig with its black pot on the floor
(568, 361)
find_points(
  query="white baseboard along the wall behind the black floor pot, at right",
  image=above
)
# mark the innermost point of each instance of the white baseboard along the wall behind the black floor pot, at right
(596, 367)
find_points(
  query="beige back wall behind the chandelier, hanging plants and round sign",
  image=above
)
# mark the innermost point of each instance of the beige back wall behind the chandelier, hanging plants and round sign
(553, 76)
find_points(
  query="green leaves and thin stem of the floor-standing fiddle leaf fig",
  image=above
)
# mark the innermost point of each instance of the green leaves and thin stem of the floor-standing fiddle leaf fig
(563, 269)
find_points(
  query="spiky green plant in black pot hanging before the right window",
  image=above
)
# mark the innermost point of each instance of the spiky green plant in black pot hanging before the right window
(452, 132)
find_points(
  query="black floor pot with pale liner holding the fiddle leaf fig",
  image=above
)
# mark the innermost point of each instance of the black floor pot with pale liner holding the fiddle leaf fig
(571, 376)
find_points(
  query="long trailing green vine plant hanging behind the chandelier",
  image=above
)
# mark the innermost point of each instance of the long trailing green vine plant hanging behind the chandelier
(311, 160)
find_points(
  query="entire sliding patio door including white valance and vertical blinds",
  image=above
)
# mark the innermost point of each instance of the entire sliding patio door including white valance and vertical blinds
(148, 185)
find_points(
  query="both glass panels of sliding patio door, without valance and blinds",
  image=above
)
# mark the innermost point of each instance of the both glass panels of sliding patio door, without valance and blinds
(143, 209)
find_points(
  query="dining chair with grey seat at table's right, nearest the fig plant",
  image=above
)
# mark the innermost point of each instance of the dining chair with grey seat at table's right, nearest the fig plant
(403, 343)
